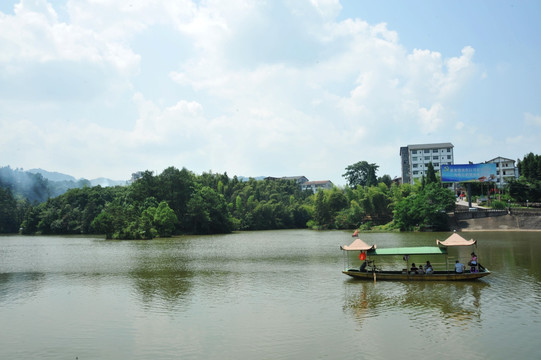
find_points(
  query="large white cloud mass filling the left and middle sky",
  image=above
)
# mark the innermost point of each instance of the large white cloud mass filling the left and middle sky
(244, 93)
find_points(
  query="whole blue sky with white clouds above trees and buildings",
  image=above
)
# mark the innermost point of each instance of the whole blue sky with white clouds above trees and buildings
(99, 88)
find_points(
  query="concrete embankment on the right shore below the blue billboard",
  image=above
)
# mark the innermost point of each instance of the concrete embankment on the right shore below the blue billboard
(490, 220)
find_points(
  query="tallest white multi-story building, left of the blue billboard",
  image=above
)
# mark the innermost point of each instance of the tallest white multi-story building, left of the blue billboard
(415, 159)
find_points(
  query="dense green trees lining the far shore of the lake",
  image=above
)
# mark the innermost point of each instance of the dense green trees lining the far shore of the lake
(177, 201)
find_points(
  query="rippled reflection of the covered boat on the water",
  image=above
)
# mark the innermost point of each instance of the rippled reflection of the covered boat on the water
(453, 303)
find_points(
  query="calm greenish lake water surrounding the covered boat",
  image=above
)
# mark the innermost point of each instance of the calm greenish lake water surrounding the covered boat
(259, 295)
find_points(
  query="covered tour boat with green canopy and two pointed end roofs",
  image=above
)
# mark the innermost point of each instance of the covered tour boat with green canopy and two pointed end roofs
(375, 261)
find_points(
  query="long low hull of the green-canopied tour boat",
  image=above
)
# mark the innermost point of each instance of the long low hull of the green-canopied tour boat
(399, 276)
